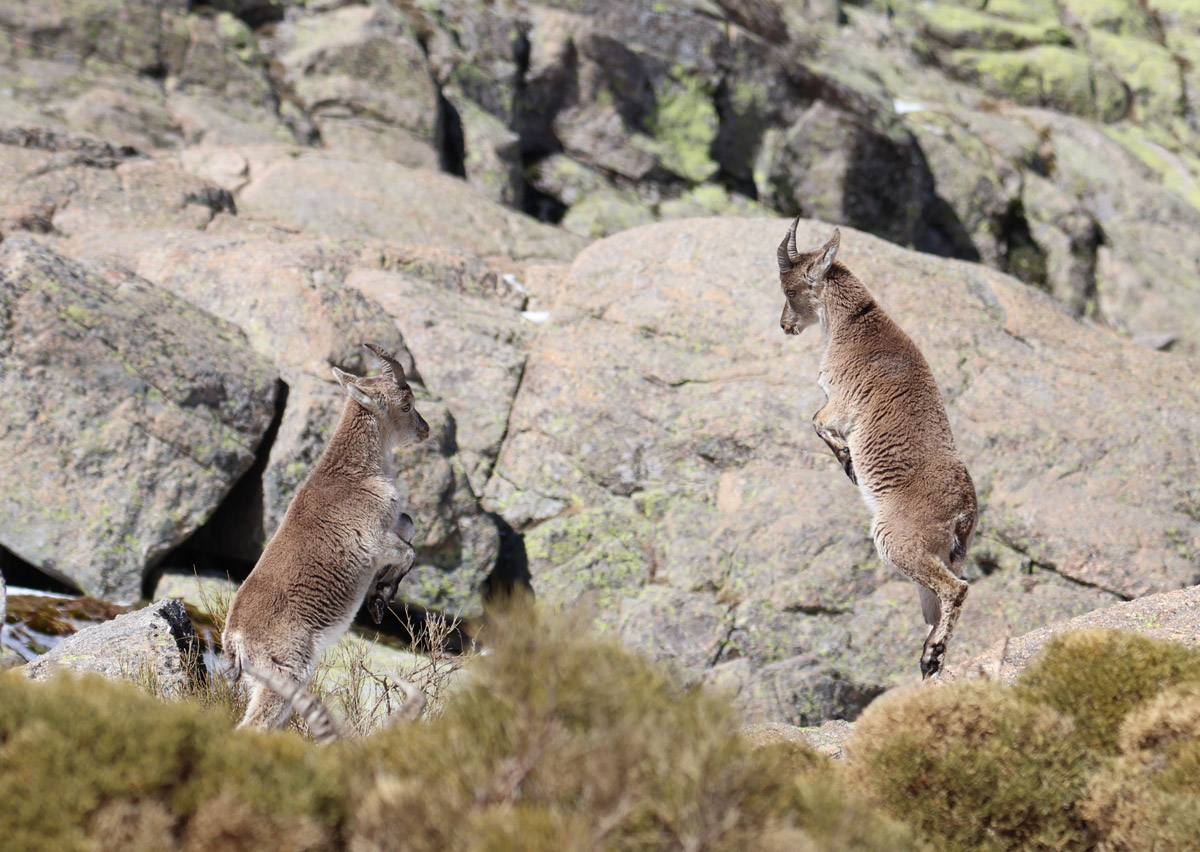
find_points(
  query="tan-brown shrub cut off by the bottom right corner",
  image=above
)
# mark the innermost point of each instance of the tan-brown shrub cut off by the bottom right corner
(1150, 797)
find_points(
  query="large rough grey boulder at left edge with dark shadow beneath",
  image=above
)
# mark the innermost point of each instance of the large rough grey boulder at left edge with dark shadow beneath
(130, 415)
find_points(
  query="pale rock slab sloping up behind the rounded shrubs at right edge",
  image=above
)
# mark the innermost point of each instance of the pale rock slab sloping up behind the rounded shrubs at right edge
(1172, 616)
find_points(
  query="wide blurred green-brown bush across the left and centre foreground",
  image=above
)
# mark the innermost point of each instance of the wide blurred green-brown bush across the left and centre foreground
(559, 742)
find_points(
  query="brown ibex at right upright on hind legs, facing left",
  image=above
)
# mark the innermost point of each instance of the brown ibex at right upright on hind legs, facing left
(885, 422)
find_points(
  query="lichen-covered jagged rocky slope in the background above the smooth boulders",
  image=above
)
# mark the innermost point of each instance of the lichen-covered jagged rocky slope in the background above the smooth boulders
(1055, 140)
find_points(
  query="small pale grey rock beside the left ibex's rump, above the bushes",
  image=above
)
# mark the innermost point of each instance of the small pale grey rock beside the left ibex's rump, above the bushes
(155, 647)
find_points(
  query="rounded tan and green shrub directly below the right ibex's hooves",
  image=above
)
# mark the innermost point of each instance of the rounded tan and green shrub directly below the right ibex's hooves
(974, 767)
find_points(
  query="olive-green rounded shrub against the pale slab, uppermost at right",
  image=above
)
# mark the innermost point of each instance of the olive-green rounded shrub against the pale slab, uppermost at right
(1099, 677)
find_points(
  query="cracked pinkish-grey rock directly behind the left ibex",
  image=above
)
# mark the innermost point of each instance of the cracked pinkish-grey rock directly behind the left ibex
(308, 304)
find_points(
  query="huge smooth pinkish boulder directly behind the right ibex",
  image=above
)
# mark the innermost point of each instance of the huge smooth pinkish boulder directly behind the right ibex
(662, 466)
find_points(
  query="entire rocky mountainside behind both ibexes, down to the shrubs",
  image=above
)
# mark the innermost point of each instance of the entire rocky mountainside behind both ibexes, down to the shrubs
(205, 209)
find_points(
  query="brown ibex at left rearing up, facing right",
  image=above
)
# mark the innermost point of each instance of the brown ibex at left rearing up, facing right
(343, 537)
